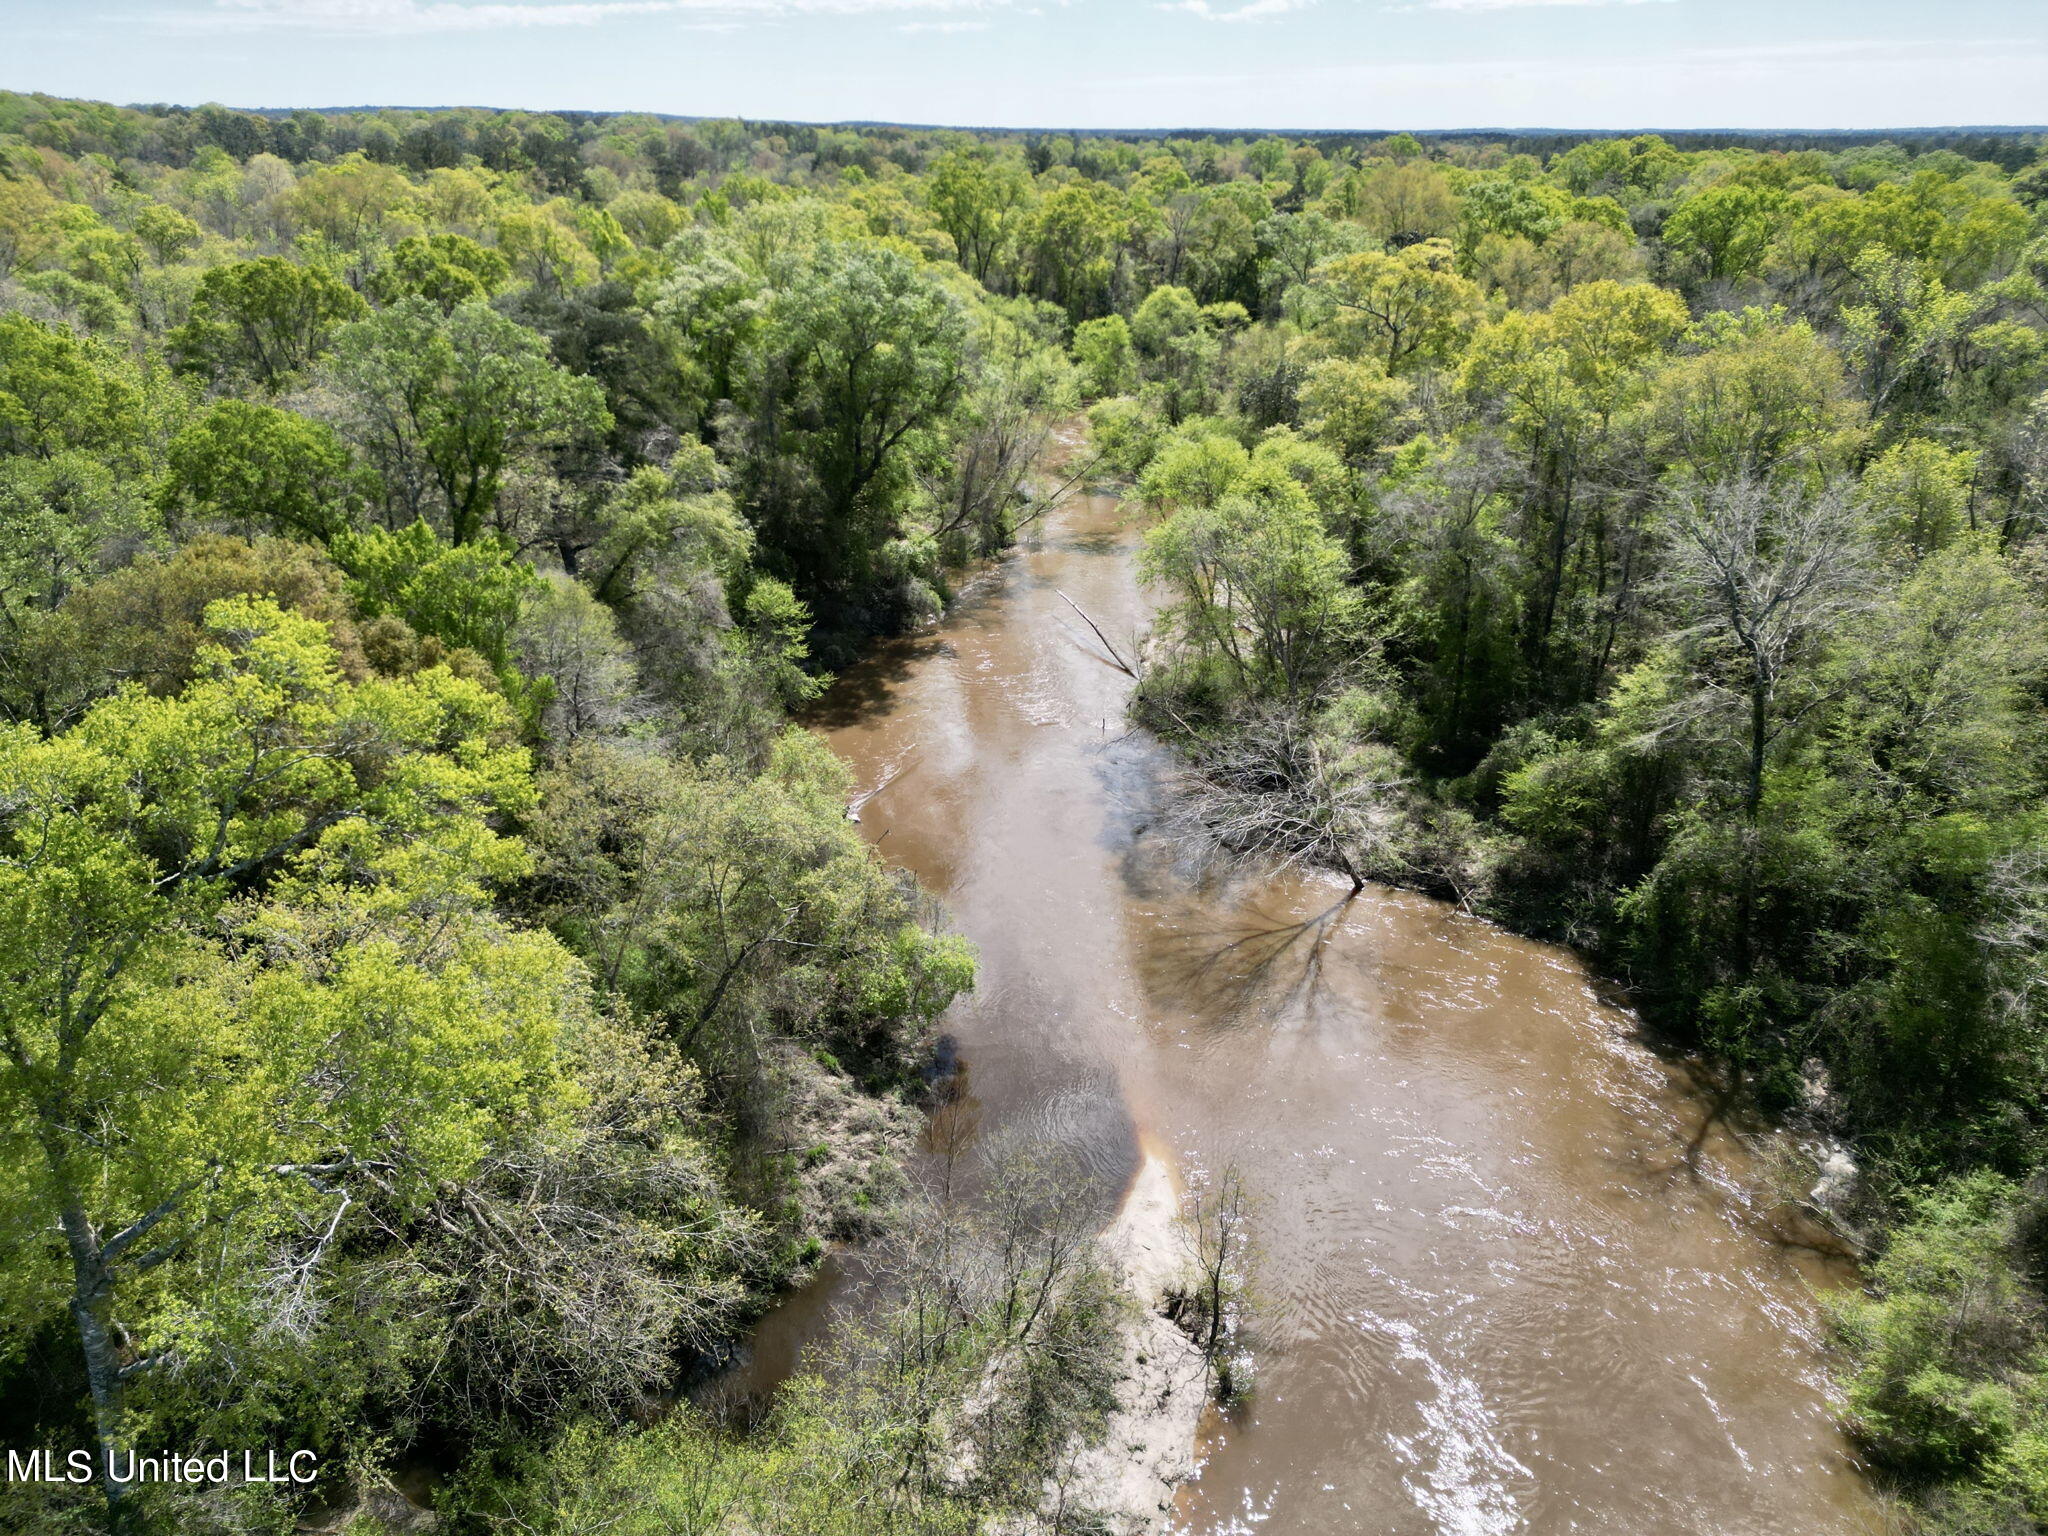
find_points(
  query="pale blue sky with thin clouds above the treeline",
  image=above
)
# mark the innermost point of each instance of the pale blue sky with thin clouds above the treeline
(1072, 62)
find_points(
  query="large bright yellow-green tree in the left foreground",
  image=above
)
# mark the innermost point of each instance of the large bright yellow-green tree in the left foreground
(249, 959)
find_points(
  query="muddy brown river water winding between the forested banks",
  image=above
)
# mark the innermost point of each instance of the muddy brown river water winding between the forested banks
(1514, 1273)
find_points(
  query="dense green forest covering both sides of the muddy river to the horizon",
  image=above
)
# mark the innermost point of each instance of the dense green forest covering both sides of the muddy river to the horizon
(443, 996)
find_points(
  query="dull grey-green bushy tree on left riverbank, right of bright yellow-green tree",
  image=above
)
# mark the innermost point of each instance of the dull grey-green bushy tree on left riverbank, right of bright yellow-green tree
(738, 910)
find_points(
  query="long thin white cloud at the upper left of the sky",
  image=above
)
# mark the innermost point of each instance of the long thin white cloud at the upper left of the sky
(409, 17)
